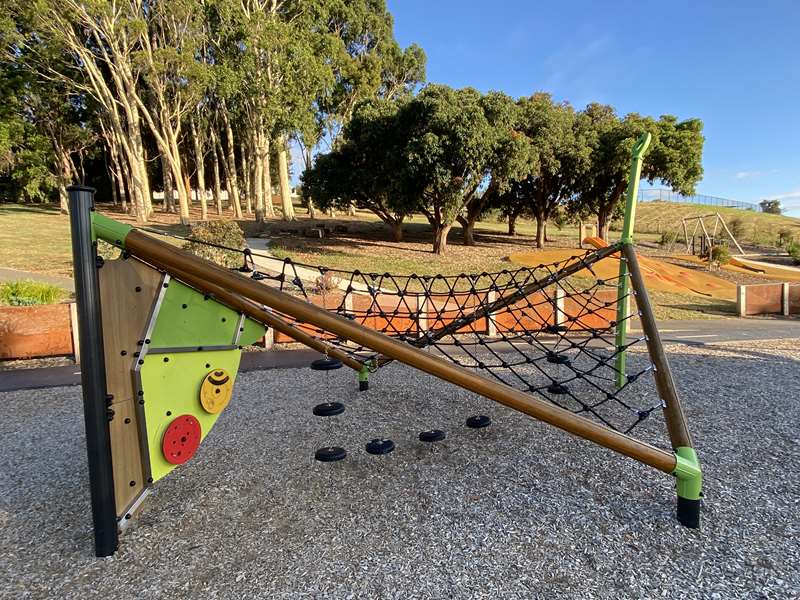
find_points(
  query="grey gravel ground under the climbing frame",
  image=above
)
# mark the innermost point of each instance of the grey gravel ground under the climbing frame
(518, 510)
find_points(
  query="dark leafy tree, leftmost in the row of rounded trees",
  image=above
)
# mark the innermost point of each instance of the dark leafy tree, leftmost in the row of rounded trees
(365, 168)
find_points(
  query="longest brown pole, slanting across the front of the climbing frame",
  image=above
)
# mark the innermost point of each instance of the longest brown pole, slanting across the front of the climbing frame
(209, 275)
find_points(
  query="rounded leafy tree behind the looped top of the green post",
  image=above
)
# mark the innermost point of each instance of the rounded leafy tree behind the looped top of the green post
(674, 158)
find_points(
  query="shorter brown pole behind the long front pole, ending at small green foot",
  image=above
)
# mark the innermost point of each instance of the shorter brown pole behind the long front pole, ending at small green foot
(260, 314)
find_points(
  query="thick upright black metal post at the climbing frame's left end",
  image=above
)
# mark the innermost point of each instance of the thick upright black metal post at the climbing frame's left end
(93, 371)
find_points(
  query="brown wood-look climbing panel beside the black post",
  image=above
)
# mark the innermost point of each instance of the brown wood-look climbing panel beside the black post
(127, 292)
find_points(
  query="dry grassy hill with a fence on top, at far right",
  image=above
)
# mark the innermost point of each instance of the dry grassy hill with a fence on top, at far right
(756, 228)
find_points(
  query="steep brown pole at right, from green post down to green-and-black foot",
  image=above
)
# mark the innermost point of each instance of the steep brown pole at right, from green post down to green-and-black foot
(673, 411)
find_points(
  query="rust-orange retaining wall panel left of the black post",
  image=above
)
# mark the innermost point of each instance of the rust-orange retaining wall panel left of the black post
(33, 331)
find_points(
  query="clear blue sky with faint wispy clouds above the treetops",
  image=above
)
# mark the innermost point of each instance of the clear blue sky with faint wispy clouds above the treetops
(735, 65)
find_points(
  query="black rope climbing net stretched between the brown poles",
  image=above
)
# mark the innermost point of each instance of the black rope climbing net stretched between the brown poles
(548, 330)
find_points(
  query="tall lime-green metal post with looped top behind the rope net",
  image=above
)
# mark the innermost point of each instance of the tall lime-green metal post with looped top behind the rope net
(623, 300)
